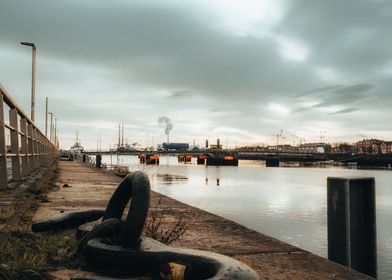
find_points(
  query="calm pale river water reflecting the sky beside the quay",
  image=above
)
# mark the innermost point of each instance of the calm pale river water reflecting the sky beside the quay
(288, 203)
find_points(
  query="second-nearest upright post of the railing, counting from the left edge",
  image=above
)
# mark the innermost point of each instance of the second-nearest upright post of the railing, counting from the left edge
(15, 144)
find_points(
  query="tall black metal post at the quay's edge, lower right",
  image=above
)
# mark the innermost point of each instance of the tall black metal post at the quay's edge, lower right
(352, 230)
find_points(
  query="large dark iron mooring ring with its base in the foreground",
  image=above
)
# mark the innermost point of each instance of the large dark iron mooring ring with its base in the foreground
(148, 255)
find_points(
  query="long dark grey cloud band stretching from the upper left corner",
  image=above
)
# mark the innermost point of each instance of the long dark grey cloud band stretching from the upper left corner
(152, 44)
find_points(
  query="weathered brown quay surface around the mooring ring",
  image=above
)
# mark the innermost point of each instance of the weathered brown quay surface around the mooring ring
(90, 188)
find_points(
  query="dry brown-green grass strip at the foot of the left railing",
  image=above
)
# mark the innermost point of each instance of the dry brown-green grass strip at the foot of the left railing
(26, 255)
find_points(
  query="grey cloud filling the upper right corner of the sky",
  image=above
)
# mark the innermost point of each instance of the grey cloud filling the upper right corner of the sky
(354, 37)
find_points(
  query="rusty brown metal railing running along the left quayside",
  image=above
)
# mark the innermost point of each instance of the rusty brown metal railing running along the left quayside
(23, 147)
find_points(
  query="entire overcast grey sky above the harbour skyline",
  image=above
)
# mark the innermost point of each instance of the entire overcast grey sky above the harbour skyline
(238, 70)
